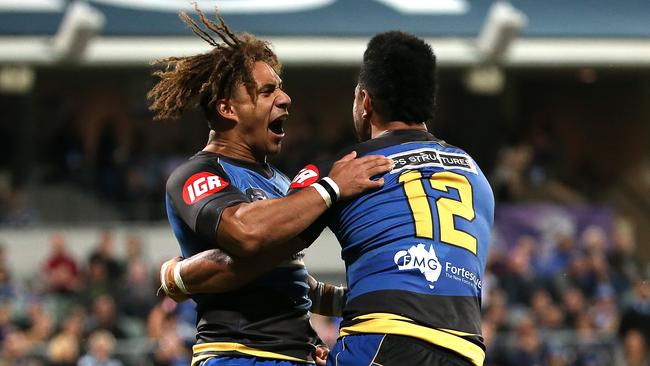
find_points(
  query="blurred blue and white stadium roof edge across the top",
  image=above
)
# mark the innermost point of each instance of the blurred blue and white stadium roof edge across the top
(558, 32)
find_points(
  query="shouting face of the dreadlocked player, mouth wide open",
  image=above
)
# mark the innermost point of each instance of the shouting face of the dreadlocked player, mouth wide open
(260, 121)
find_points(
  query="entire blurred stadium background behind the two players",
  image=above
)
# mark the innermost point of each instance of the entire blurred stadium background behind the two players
(550, 97)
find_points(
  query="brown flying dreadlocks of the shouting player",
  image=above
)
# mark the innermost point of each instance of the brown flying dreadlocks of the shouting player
(201, 80)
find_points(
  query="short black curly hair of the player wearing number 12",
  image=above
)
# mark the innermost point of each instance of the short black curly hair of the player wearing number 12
(399, 72)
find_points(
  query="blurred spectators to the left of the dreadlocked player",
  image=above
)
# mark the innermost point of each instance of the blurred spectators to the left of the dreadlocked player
(103, 310)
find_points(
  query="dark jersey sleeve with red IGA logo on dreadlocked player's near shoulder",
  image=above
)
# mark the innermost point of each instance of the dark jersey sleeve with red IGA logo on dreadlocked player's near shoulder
(199, 193)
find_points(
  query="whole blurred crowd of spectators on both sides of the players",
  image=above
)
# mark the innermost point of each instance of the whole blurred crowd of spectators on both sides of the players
(584, 302)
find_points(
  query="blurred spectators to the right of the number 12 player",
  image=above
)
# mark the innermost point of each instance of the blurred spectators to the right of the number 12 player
(586, 302)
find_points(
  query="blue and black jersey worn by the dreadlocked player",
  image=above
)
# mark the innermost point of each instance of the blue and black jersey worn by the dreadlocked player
(267, 318)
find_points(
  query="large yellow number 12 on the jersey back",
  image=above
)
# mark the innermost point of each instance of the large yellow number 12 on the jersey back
(446, 208)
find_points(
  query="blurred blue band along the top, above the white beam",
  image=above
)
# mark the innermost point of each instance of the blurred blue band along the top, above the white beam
(340, 18)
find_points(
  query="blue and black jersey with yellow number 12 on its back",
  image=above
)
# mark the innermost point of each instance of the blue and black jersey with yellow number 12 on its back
(415, 250)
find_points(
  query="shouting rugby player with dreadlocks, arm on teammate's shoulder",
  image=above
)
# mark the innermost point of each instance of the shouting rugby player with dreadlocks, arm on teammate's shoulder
(227, 197)
